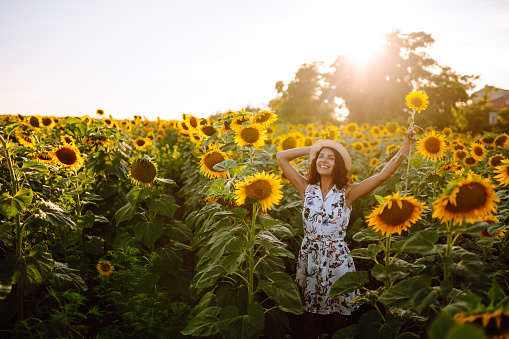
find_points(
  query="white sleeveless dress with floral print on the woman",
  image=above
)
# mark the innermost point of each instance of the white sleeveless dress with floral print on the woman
(322, 257)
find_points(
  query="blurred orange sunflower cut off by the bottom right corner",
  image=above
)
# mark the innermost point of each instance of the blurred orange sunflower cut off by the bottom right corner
(493, 323)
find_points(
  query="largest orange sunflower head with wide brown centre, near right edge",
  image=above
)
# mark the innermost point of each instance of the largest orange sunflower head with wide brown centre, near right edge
(468, 198)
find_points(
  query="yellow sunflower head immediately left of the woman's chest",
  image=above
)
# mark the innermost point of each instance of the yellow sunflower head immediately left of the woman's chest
(266, 188)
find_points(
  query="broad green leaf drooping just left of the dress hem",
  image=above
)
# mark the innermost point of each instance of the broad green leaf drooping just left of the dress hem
(282, 289)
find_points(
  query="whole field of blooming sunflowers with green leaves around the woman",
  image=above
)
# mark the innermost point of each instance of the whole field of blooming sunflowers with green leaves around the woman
(187, 228)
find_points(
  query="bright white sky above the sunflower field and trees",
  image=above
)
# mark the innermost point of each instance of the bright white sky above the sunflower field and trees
(164, 58)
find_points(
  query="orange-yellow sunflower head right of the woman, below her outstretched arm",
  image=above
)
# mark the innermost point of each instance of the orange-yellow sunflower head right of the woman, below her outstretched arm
(396, 214)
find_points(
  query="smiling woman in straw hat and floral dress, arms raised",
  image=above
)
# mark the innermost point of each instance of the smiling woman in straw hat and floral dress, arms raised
(328, 199)
